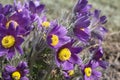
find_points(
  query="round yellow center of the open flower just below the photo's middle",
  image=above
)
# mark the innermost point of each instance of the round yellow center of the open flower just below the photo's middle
(64, 54)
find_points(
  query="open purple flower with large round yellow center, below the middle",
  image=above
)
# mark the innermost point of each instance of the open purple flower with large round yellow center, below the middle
(66, 56)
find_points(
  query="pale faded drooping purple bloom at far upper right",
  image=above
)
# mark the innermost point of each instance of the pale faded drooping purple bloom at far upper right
(97, 22)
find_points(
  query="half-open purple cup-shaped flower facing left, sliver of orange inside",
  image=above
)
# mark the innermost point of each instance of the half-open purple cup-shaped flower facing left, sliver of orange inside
(81, 29)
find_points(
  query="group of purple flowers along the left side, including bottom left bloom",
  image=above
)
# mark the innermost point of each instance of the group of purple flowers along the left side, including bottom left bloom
(16, 22)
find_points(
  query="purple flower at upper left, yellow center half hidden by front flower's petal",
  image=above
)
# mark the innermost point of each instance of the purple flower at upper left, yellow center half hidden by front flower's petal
(22, 20)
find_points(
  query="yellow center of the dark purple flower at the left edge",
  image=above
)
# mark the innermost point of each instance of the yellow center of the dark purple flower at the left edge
(8, 41)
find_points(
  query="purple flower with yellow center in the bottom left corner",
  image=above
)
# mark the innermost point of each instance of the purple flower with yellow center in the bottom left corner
(16, 73)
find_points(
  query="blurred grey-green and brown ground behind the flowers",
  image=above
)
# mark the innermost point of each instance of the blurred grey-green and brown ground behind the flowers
(110, 8)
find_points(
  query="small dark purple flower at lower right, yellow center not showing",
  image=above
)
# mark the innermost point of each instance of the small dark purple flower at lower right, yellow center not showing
(97, 57)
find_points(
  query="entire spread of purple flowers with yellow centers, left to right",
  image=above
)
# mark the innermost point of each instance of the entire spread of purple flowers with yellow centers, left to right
(17, 21)
